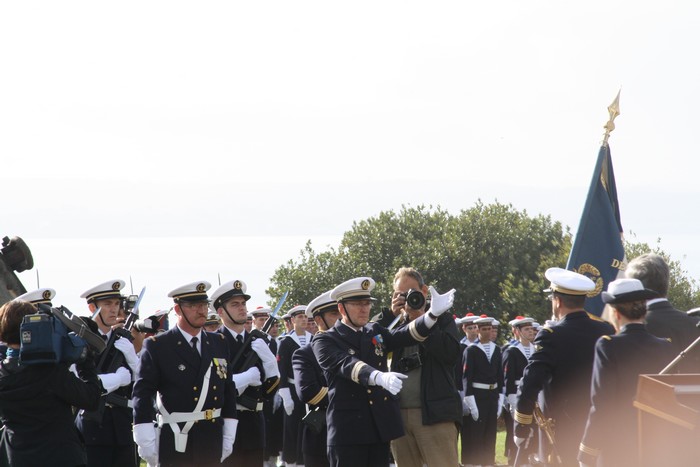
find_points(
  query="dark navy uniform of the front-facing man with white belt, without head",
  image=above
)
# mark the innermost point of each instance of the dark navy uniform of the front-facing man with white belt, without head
(171, 367)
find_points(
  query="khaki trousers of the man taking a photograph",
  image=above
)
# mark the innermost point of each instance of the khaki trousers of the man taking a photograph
(431, 445)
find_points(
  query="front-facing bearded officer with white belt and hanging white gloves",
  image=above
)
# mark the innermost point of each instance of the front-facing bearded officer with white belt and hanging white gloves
(185, 371)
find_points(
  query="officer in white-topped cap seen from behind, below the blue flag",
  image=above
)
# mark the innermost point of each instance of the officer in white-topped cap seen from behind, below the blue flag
(562, 365)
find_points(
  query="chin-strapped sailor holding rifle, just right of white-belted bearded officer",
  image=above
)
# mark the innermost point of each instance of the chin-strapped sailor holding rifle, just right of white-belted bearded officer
(255, 383)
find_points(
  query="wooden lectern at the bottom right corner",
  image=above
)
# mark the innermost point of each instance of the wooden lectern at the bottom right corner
(669, 419)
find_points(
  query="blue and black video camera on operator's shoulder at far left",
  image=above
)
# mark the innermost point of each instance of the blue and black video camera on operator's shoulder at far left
(55, 335)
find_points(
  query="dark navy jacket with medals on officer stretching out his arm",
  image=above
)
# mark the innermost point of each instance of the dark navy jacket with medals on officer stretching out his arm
(357, 412)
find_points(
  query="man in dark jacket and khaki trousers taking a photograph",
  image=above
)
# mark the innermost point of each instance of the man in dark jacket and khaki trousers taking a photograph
(431, 408)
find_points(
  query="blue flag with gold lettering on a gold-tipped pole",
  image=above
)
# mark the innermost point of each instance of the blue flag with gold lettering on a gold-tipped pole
(597, 251)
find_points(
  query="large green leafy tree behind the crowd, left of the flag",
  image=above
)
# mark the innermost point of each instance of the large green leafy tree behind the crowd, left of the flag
(492, 254)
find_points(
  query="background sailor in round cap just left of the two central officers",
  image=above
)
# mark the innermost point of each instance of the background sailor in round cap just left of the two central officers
(296, 338)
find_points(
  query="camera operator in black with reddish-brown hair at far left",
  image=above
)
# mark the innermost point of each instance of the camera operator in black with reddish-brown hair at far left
(36, 401)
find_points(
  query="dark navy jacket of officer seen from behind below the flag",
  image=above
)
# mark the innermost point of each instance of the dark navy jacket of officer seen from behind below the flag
(562, 366)
